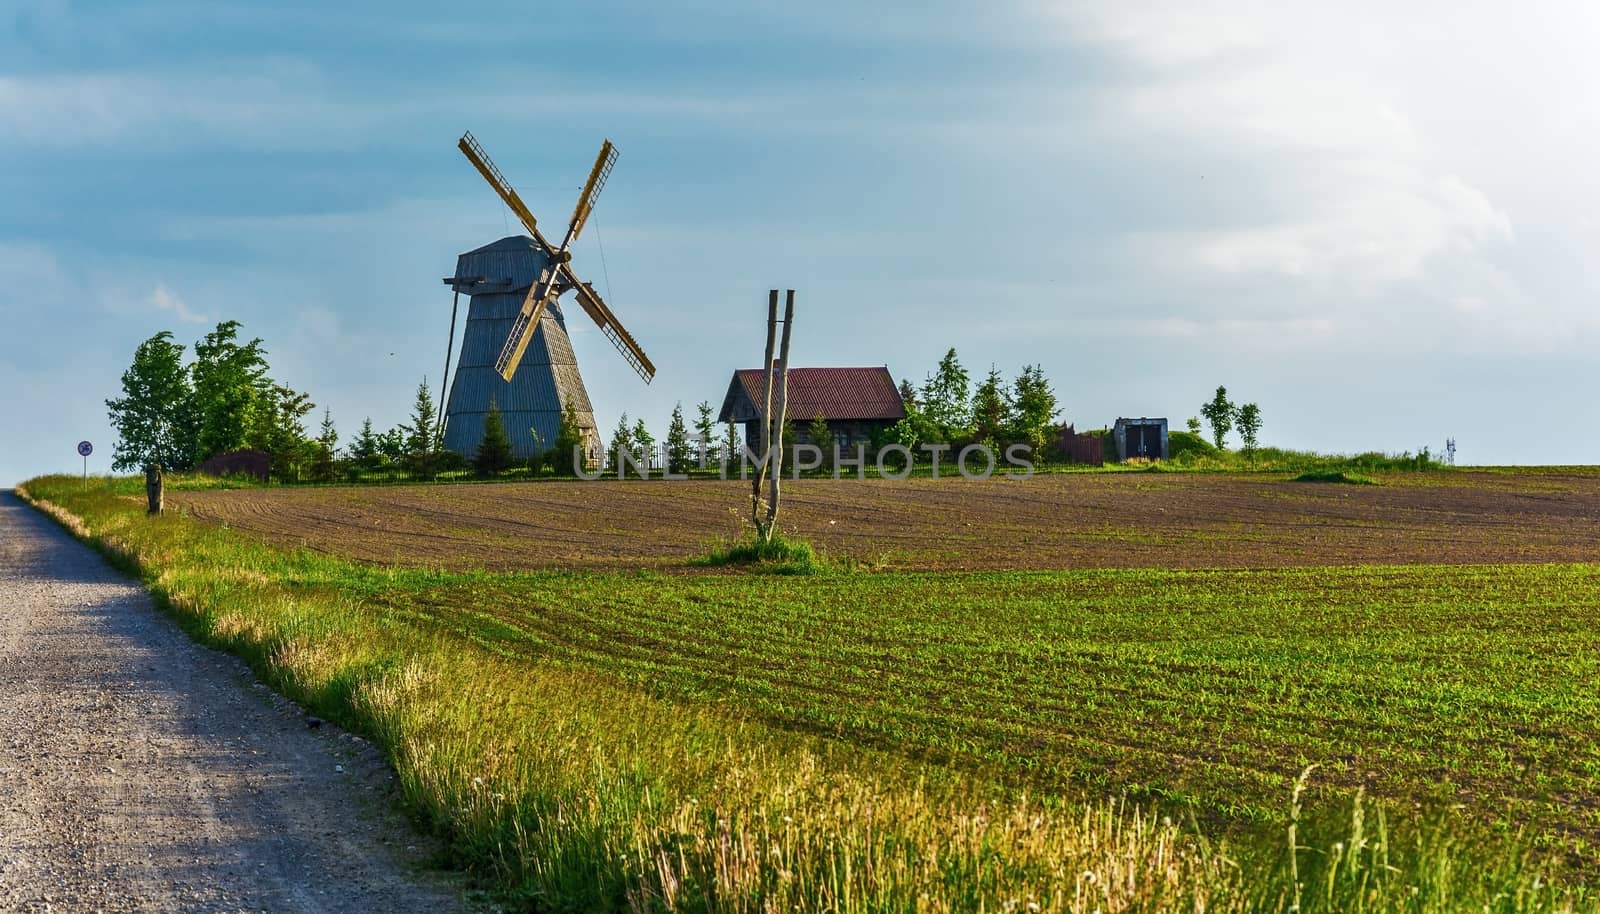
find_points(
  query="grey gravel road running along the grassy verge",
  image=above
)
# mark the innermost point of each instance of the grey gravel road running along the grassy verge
(143, 772)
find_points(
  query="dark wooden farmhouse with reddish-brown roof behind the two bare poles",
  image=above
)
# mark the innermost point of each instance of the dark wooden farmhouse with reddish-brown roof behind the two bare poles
(857, 403)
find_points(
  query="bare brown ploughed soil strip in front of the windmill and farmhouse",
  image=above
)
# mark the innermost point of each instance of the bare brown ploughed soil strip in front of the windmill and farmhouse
(1076, 521)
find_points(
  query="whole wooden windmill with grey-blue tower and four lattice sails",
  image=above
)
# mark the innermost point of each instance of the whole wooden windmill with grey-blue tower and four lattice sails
(516, 351)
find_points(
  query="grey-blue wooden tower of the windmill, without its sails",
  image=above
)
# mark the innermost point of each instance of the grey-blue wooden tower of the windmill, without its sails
(497, 278)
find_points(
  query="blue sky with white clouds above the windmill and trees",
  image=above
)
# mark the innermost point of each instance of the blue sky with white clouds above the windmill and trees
(1378, 222)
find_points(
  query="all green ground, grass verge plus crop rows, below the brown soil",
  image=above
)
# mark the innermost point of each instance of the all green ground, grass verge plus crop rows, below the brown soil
(865, 742)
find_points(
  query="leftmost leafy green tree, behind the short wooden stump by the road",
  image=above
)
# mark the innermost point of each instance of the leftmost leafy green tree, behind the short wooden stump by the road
(154, 417)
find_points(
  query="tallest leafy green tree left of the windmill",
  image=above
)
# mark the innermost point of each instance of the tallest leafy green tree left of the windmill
(230, 385)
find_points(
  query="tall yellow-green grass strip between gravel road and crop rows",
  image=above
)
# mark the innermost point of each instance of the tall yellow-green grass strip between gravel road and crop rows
(578, 792)
